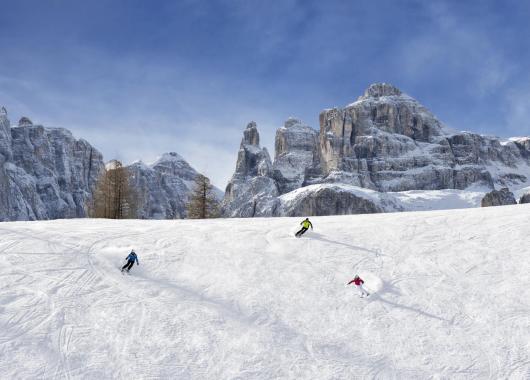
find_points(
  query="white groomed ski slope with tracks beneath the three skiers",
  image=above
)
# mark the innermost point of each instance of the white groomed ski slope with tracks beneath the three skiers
(245, 299)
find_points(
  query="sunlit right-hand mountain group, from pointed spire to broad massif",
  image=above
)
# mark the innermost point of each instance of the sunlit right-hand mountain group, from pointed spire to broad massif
(385, 141)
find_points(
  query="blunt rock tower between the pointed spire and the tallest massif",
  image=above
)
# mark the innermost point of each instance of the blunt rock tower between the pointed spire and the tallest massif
(296, 154)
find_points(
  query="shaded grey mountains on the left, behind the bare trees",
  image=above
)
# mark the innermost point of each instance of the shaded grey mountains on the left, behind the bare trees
(47, 174)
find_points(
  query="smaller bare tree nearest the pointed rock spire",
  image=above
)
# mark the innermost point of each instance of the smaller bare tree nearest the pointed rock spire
(202, 202)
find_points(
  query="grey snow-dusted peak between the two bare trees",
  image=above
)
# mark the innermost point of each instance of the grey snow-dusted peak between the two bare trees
(163, 187)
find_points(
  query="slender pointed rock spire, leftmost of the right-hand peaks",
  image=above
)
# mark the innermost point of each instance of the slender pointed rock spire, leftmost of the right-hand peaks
(251, 191)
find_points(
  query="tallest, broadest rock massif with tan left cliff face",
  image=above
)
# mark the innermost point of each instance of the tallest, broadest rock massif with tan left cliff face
(387, 141)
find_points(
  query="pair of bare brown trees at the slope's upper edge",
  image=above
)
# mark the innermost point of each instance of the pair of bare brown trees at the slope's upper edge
(115, 197)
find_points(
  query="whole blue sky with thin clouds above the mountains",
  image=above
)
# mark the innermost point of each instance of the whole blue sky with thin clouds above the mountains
(140, 78)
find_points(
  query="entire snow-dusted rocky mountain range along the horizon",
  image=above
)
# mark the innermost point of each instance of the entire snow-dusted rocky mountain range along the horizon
(383, 152)
